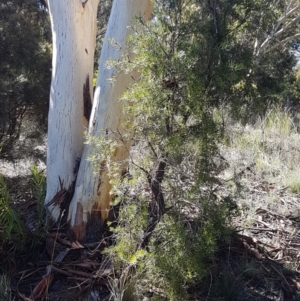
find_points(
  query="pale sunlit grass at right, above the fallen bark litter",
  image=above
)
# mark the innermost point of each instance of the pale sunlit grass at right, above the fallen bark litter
(270, 146)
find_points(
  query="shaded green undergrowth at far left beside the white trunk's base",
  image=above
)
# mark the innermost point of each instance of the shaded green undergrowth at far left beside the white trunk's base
(20, 231)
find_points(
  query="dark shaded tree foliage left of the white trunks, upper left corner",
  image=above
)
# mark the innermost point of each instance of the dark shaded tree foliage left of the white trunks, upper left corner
(25, 52)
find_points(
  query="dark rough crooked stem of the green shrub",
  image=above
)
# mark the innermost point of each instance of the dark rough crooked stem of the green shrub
(157, 206)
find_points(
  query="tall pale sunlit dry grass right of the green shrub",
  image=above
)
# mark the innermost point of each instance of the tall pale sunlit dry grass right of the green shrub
(264, 160)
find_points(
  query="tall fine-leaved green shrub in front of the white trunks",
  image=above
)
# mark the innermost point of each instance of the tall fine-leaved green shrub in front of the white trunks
(188, 64)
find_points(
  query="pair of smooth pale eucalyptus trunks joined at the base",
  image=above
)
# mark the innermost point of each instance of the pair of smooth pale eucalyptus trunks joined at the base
(72, 110)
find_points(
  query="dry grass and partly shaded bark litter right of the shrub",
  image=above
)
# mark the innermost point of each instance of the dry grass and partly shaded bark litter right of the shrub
(264, 176)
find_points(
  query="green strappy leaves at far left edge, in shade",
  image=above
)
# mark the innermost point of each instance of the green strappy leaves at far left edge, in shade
(11, 229)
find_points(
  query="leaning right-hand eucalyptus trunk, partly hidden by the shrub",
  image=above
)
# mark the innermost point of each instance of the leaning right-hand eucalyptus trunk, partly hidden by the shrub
(91, 201)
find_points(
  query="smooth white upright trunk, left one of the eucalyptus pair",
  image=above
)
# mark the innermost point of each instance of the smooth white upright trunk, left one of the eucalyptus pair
(74, 36)
